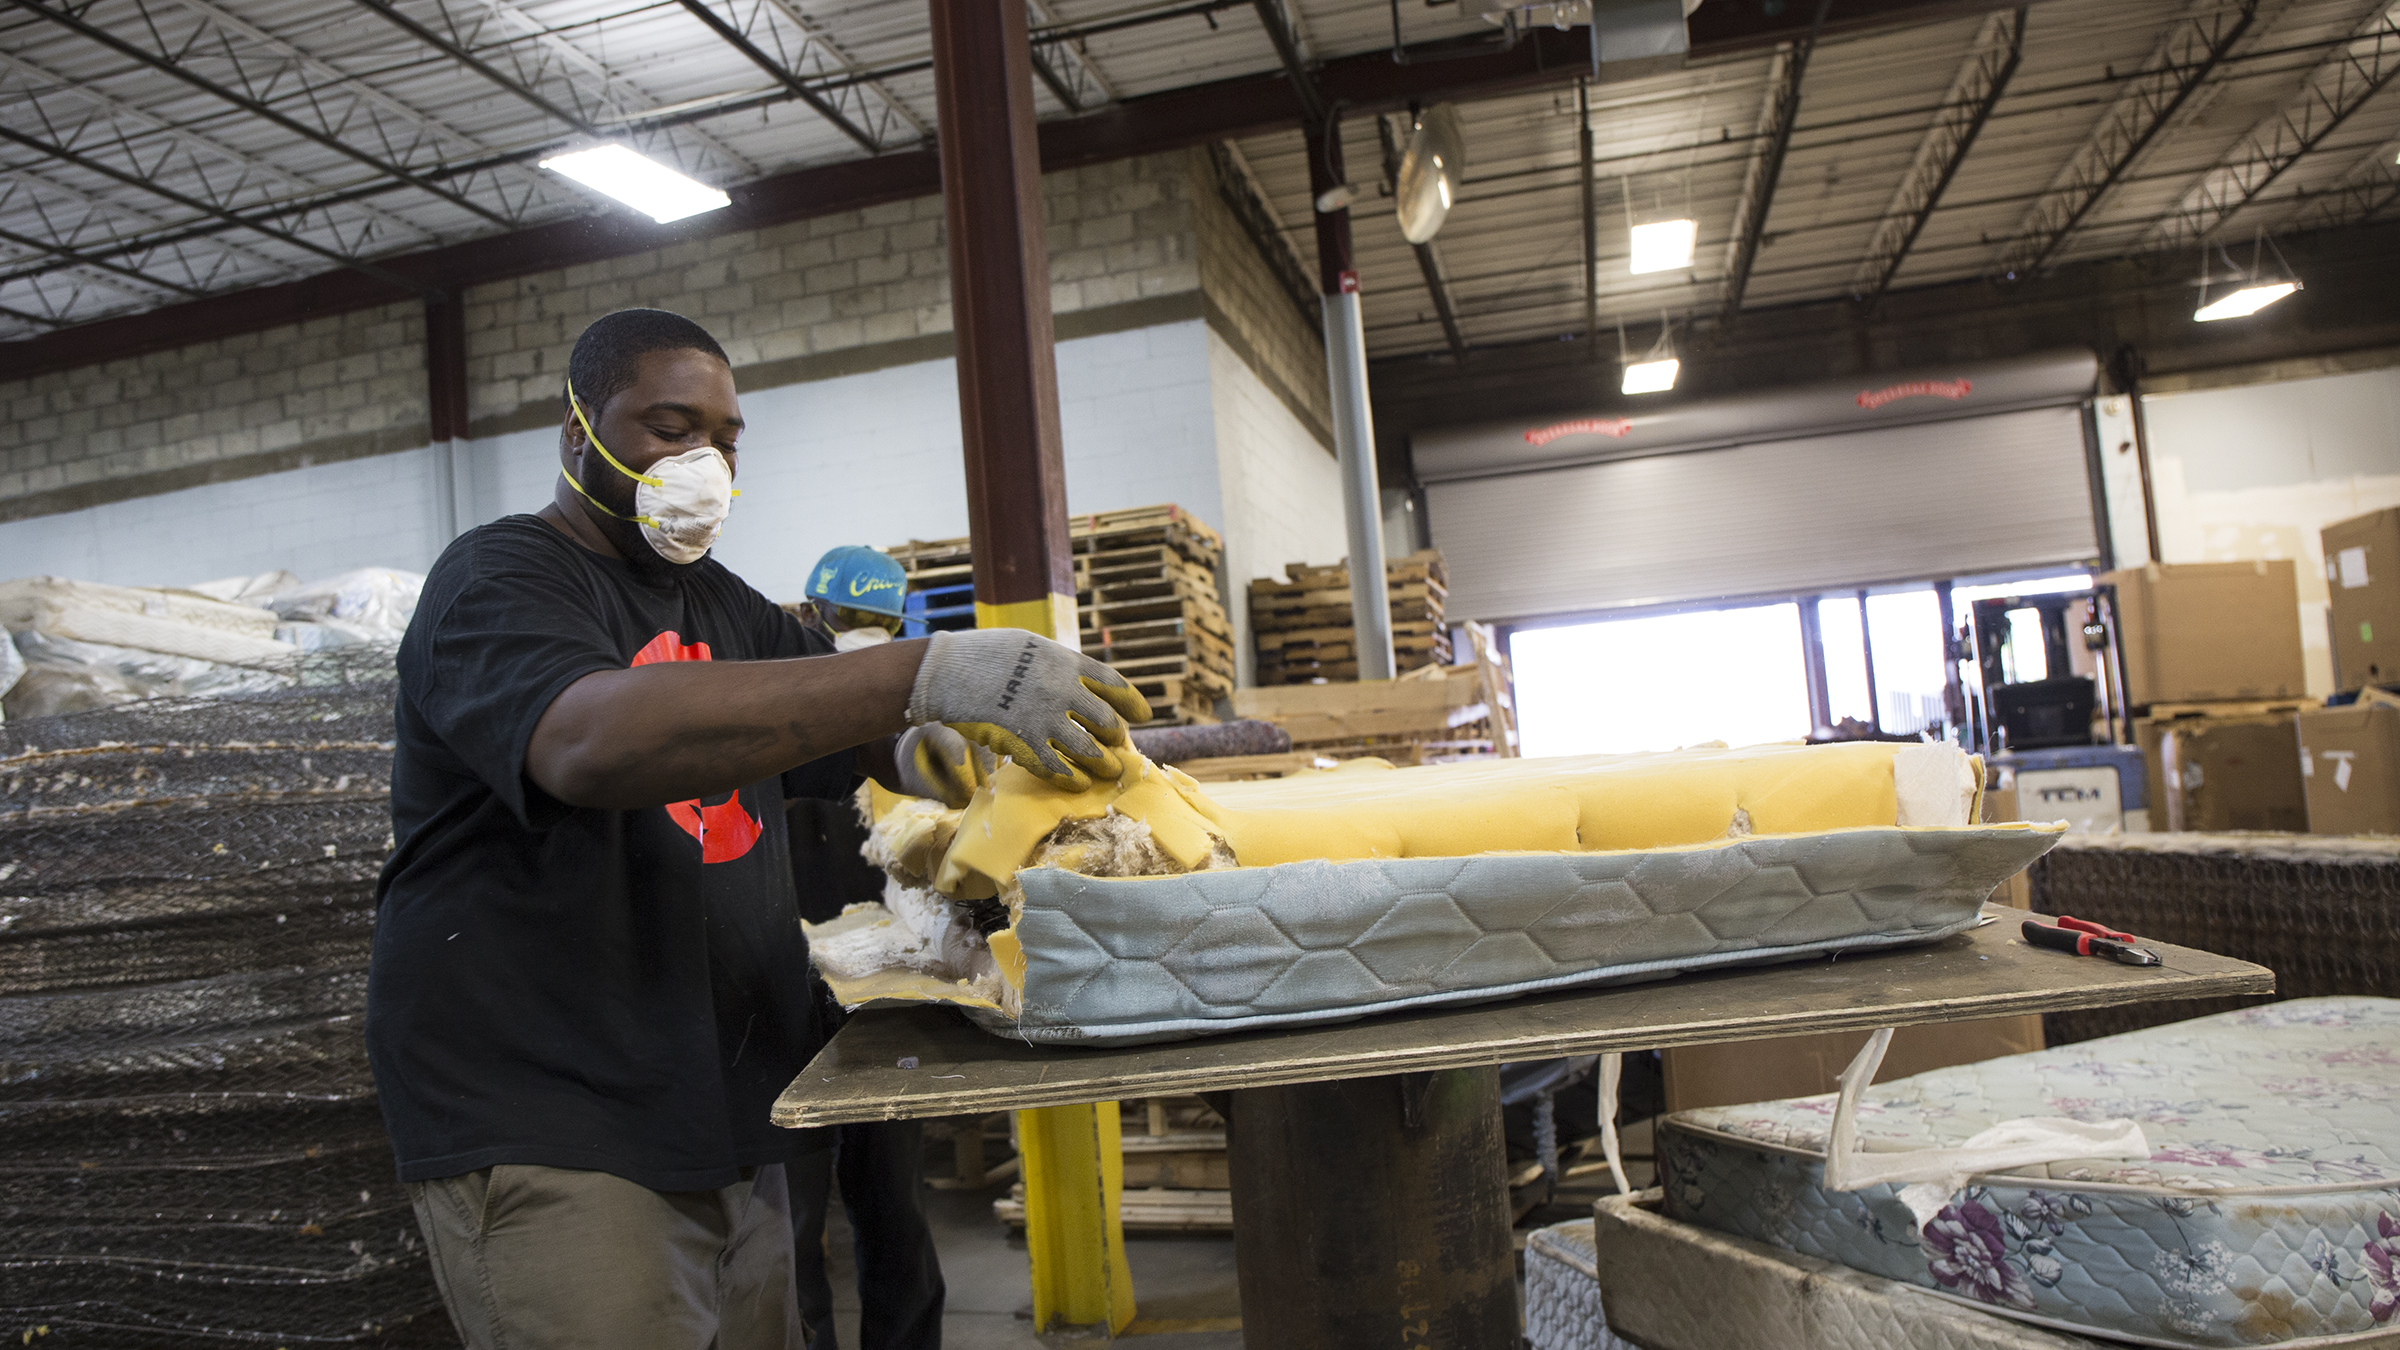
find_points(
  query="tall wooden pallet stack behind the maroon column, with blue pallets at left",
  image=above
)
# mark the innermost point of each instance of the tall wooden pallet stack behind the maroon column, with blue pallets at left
(1146, 595)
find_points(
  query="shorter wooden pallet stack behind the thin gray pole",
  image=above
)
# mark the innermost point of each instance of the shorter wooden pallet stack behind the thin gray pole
(1304, 633)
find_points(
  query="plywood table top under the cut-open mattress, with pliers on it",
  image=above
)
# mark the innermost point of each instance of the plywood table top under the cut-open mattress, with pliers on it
(1986, 972)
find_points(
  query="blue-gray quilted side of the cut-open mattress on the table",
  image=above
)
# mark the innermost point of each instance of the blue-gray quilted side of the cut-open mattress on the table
(1136, 960)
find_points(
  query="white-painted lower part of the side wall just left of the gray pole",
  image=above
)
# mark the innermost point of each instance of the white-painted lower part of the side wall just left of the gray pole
(1280, 489)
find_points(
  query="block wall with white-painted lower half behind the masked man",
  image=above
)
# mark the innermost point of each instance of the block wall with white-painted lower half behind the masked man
(1187, 374)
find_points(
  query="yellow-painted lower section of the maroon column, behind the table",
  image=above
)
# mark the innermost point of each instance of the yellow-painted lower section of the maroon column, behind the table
(1074, 1157)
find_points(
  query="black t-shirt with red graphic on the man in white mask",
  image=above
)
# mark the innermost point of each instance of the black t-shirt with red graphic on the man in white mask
(560, 986)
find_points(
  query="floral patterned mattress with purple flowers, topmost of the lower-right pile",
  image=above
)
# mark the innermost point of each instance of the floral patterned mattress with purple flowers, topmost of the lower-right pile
(2267, 1214)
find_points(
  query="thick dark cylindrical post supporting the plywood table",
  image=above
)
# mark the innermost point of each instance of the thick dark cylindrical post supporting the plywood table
(1374, 1214)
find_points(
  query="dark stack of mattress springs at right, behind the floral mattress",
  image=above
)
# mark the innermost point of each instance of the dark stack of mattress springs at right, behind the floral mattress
(2320, 912)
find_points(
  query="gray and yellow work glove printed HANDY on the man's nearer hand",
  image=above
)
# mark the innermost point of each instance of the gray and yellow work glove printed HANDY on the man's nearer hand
(1028, 698)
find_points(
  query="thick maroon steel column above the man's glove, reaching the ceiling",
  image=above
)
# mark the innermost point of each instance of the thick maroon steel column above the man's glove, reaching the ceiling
(1000, 306)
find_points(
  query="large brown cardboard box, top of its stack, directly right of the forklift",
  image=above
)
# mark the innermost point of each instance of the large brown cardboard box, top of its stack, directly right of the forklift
(2202, 633)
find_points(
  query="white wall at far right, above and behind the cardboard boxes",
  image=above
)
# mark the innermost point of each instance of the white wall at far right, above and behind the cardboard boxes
(2257, 472)
